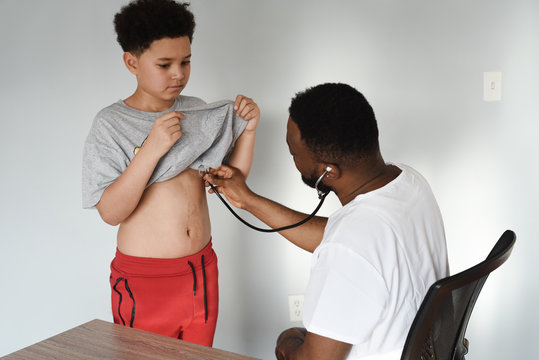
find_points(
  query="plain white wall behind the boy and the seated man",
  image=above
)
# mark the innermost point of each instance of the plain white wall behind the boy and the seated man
(419, 62)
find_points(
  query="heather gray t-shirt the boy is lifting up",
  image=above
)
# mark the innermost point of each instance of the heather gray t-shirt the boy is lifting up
(209, 132)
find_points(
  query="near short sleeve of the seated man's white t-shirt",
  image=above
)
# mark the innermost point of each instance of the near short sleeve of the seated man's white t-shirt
(345, 297)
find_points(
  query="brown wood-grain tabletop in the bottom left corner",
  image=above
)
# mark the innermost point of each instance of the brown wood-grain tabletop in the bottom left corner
(98, 339)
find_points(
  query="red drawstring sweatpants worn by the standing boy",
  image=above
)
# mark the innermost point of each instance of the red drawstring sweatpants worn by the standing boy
(173, 297)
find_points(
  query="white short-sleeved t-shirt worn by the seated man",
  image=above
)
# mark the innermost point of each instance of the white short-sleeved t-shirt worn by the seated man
(379, 255)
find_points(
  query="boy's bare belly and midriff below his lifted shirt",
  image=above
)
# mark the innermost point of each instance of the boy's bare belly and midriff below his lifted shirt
(170, 221)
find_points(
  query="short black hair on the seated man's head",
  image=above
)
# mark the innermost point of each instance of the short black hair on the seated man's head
(336, 122)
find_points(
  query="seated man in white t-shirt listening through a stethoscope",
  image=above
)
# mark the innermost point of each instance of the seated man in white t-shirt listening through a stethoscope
(374, 258)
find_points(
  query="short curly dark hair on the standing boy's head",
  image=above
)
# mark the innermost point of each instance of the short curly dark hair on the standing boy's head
(141, 22)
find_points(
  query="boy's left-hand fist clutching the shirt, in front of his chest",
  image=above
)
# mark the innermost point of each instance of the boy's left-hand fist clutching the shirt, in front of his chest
(166, 130)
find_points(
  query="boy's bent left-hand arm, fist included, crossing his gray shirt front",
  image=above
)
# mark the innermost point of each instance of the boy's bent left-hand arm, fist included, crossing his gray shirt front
(121, 197)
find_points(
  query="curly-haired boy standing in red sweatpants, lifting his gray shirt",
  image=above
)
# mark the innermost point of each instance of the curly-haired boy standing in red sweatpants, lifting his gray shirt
(141, 170)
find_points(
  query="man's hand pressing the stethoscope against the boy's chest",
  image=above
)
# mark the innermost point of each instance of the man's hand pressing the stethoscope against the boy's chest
(229, 181)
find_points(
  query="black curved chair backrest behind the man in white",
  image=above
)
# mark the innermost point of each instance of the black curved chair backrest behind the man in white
(437, 332)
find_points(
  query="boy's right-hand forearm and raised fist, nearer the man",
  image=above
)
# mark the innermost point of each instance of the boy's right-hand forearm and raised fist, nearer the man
(242, 155)
